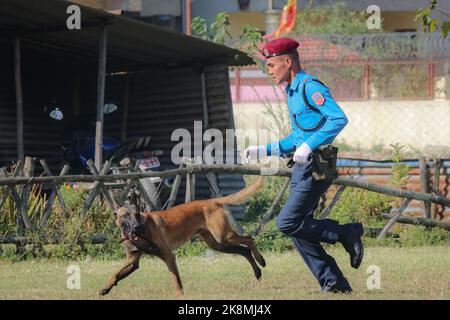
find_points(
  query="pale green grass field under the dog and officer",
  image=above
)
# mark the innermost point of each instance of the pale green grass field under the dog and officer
(406, 273)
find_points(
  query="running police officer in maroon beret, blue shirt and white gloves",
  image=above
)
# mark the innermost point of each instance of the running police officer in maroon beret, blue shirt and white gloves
(316, 119)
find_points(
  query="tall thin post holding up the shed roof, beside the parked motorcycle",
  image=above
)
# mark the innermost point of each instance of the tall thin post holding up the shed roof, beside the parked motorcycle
(100, 97)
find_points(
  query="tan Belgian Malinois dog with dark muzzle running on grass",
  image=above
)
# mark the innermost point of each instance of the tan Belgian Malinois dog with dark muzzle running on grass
(158, 233)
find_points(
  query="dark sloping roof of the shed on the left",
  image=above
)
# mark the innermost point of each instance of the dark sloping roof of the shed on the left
(131, 43)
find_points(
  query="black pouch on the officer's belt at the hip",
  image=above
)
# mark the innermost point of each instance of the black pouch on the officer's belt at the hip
(324, 163)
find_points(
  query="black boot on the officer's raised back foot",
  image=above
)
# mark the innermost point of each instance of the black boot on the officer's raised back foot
(350, 237)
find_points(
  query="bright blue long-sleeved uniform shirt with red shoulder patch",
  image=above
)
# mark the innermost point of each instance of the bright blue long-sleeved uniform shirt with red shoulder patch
(319, 96)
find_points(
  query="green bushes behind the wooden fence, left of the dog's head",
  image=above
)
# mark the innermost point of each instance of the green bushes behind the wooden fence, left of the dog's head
(66, 235)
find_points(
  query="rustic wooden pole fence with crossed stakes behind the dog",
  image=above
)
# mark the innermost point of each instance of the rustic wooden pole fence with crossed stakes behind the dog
(19, 181)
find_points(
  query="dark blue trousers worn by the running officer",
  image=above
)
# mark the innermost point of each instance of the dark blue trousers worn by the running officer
(296, 220)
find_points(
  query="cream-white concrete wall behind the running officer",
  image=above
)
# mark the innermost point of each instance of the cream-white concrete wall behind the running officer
(418, 125)
